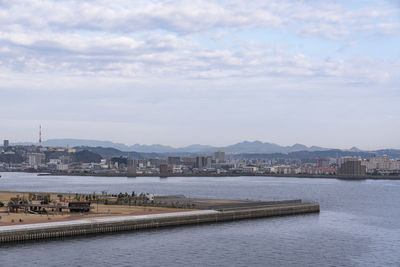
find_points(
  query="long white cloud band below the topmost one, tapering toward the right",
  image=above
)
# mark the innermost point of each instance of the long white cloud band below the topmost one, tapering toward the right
(162, 56)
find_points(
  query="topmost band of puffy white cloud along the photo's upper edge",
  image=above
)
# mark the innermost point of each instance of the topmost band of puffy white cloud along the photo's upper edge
(184, 16)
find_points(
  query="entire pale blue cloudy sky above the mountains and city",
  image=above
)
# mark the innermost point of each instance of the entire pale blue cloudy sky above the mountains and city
(323, 73)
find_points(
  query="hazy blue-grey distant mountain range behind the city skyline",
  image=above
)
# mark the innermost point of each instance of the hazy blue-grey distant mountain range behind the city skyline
(242, 147)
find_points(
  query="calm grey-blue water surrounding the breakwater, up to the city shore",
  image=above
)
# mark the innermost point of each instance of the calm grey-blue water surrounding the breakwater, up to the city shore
(359, 225)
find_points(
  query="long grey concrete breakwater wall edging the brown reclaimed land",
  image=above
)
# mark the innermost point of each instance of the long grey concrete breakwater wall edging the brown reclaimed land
(24, 232)
